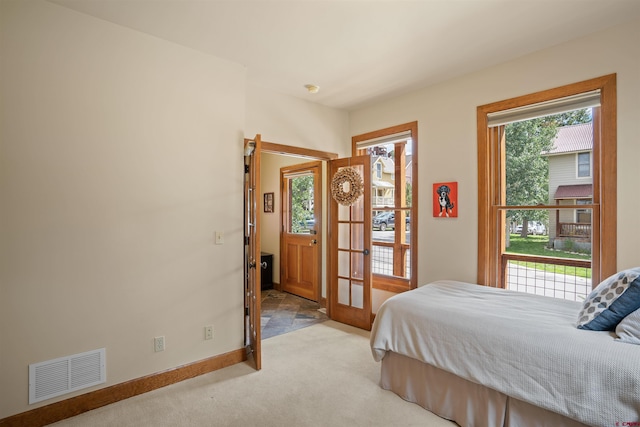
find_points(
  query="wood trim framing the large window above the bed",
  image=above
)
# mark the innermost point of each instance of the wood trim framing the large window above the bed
(604, 259)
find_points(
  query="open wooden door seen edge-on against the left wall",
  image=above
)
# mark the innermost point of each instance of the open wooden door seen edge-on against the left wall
(252, 250)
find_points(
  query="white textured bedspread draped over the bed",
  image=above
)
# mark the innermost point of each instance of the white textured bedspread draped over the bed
(525, 346)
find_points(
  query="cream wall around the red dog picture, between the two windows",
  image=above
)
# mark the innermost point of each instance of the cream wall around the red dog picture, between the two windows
(446, 115)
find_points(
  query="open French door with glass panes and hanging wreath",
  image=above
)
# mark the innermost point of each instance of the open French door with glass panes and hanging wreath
(349, 290)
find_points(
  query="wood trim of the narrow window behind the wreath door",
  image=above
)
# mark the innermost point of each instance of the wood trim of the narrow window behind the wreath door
(398, 284)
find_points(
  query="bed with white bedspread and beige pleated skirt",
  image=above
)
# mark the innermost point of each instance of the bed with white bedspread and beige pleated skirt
(482, 356)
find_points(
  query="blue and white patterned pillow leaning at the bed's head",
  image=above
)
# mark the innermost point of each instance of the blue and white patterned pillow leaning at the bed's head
(610, 302)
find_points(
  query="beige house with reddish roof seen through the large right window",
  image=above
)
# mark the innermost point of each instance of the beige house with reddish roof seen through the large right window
(570, 183)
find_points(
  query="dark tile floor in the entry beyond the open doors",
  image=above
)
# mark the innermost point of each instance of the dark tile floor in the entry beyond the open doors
(283, 312)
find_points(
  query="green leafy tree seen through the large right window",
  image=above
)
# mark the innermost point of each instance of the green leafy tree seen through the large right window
(527, 171)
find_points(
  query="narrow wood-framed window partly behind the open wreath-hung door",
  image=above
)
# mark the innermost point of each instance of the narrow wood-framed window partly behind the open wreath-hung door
(394, 216)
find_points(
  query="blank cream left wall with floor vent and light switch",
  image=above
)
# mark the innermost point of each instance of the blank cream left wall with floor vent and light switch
(120, 154)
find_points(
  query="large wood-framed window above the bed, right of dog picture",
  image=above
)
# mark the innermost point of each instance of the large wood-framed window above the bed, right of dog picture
(579, 213)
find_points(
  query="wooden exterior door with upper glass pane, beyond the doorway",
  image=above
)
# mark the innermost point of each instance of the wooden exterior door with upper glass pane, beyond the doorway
(300, 255)
